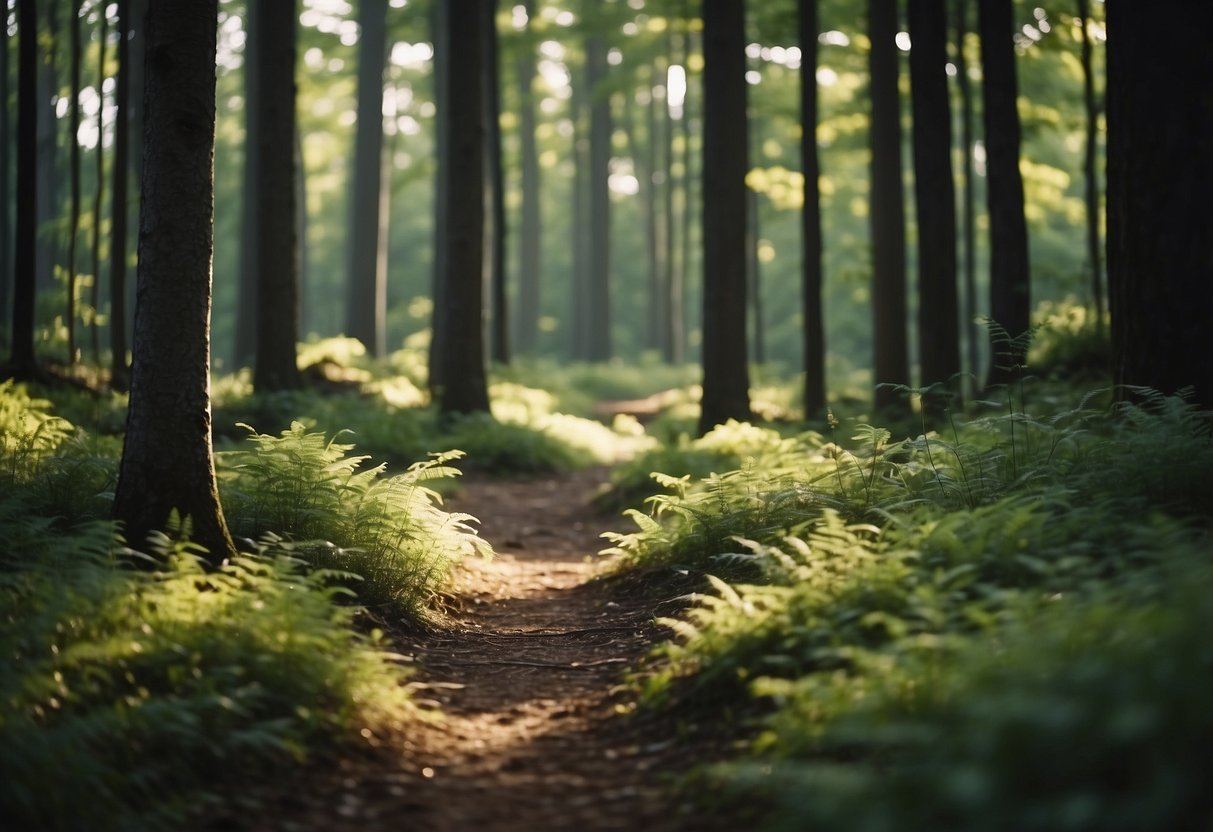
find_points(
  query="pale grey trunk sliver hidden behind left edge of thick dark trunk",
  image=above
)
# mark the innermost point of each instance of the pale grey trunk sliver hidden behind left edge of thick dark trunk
(438, 21)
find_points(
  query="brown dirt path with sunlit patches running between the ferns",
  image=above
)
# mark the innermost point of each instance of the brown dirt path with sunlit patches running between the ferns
(528, 677)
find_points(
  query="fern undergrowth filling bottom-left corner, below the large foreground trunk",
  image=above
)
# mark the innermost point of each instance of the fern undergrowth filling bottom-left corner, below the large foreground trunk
(132, 698)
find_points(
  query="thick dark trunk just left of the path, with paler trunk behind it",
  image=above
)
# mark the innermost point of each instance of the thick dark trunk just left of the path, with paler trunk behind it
(464, 387)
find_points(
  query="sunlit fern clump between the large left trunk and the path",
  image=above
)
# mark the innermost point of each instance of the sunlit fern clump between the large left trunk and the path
(389, 532)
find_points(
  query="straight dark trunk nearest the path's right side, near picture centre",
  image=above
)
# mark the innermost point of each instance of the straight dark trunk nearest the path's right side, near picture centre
(726, 372)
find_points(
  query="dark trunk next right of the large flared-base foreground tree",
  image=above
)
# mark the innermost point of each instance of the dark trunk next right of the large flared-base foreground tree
(276, 368)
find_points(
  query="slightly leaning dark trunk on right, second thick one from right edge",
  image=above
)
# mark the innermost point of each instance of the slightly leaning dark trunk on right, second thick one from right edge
(1010, 300)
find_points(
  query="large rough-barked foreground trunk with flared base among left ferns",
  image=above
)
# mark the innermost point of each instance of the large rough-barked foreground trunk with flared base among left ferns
(168, 464)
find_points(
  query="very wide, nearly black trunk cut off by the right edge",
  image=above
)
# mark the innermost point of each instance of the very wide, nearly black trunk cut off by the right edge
(1160, 212)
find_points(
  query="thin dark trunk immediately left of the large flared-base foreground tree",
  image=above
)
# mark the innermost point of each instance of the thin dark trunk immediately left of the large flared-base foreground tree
(122, 174)
